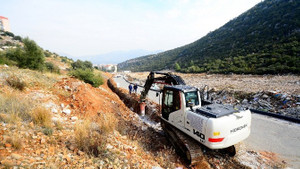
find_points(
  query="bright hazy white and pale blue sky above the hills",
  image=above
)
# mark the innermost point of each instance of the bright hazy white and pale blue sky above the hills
(81, 28)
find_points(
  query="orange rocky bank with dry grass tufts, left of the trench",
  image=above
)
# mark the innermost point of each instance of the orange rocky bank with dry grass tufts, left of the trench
(54, 121)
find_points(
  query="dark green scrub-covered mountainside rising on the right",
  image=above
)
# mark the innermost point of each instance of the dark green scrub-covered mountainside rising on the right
(264, 39)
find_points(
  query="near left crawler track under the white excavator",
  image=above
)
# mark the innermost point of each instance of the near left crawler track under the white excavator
(187, 147)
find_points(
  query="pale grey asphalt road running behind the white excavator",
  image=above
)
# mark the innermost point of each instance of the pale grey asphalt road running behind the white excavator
(267, 133)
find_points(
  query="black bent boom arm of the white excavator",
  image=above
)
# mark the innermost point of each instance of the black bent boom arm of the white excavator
(167, 79)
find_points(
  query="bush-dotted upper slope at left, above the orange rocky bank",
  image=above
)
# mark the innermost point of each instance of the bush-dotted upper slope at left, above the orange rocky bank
(25, 53)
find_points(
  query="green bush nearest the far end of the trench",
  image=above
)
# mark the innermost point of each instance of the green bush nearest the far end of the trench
(87, 76)
